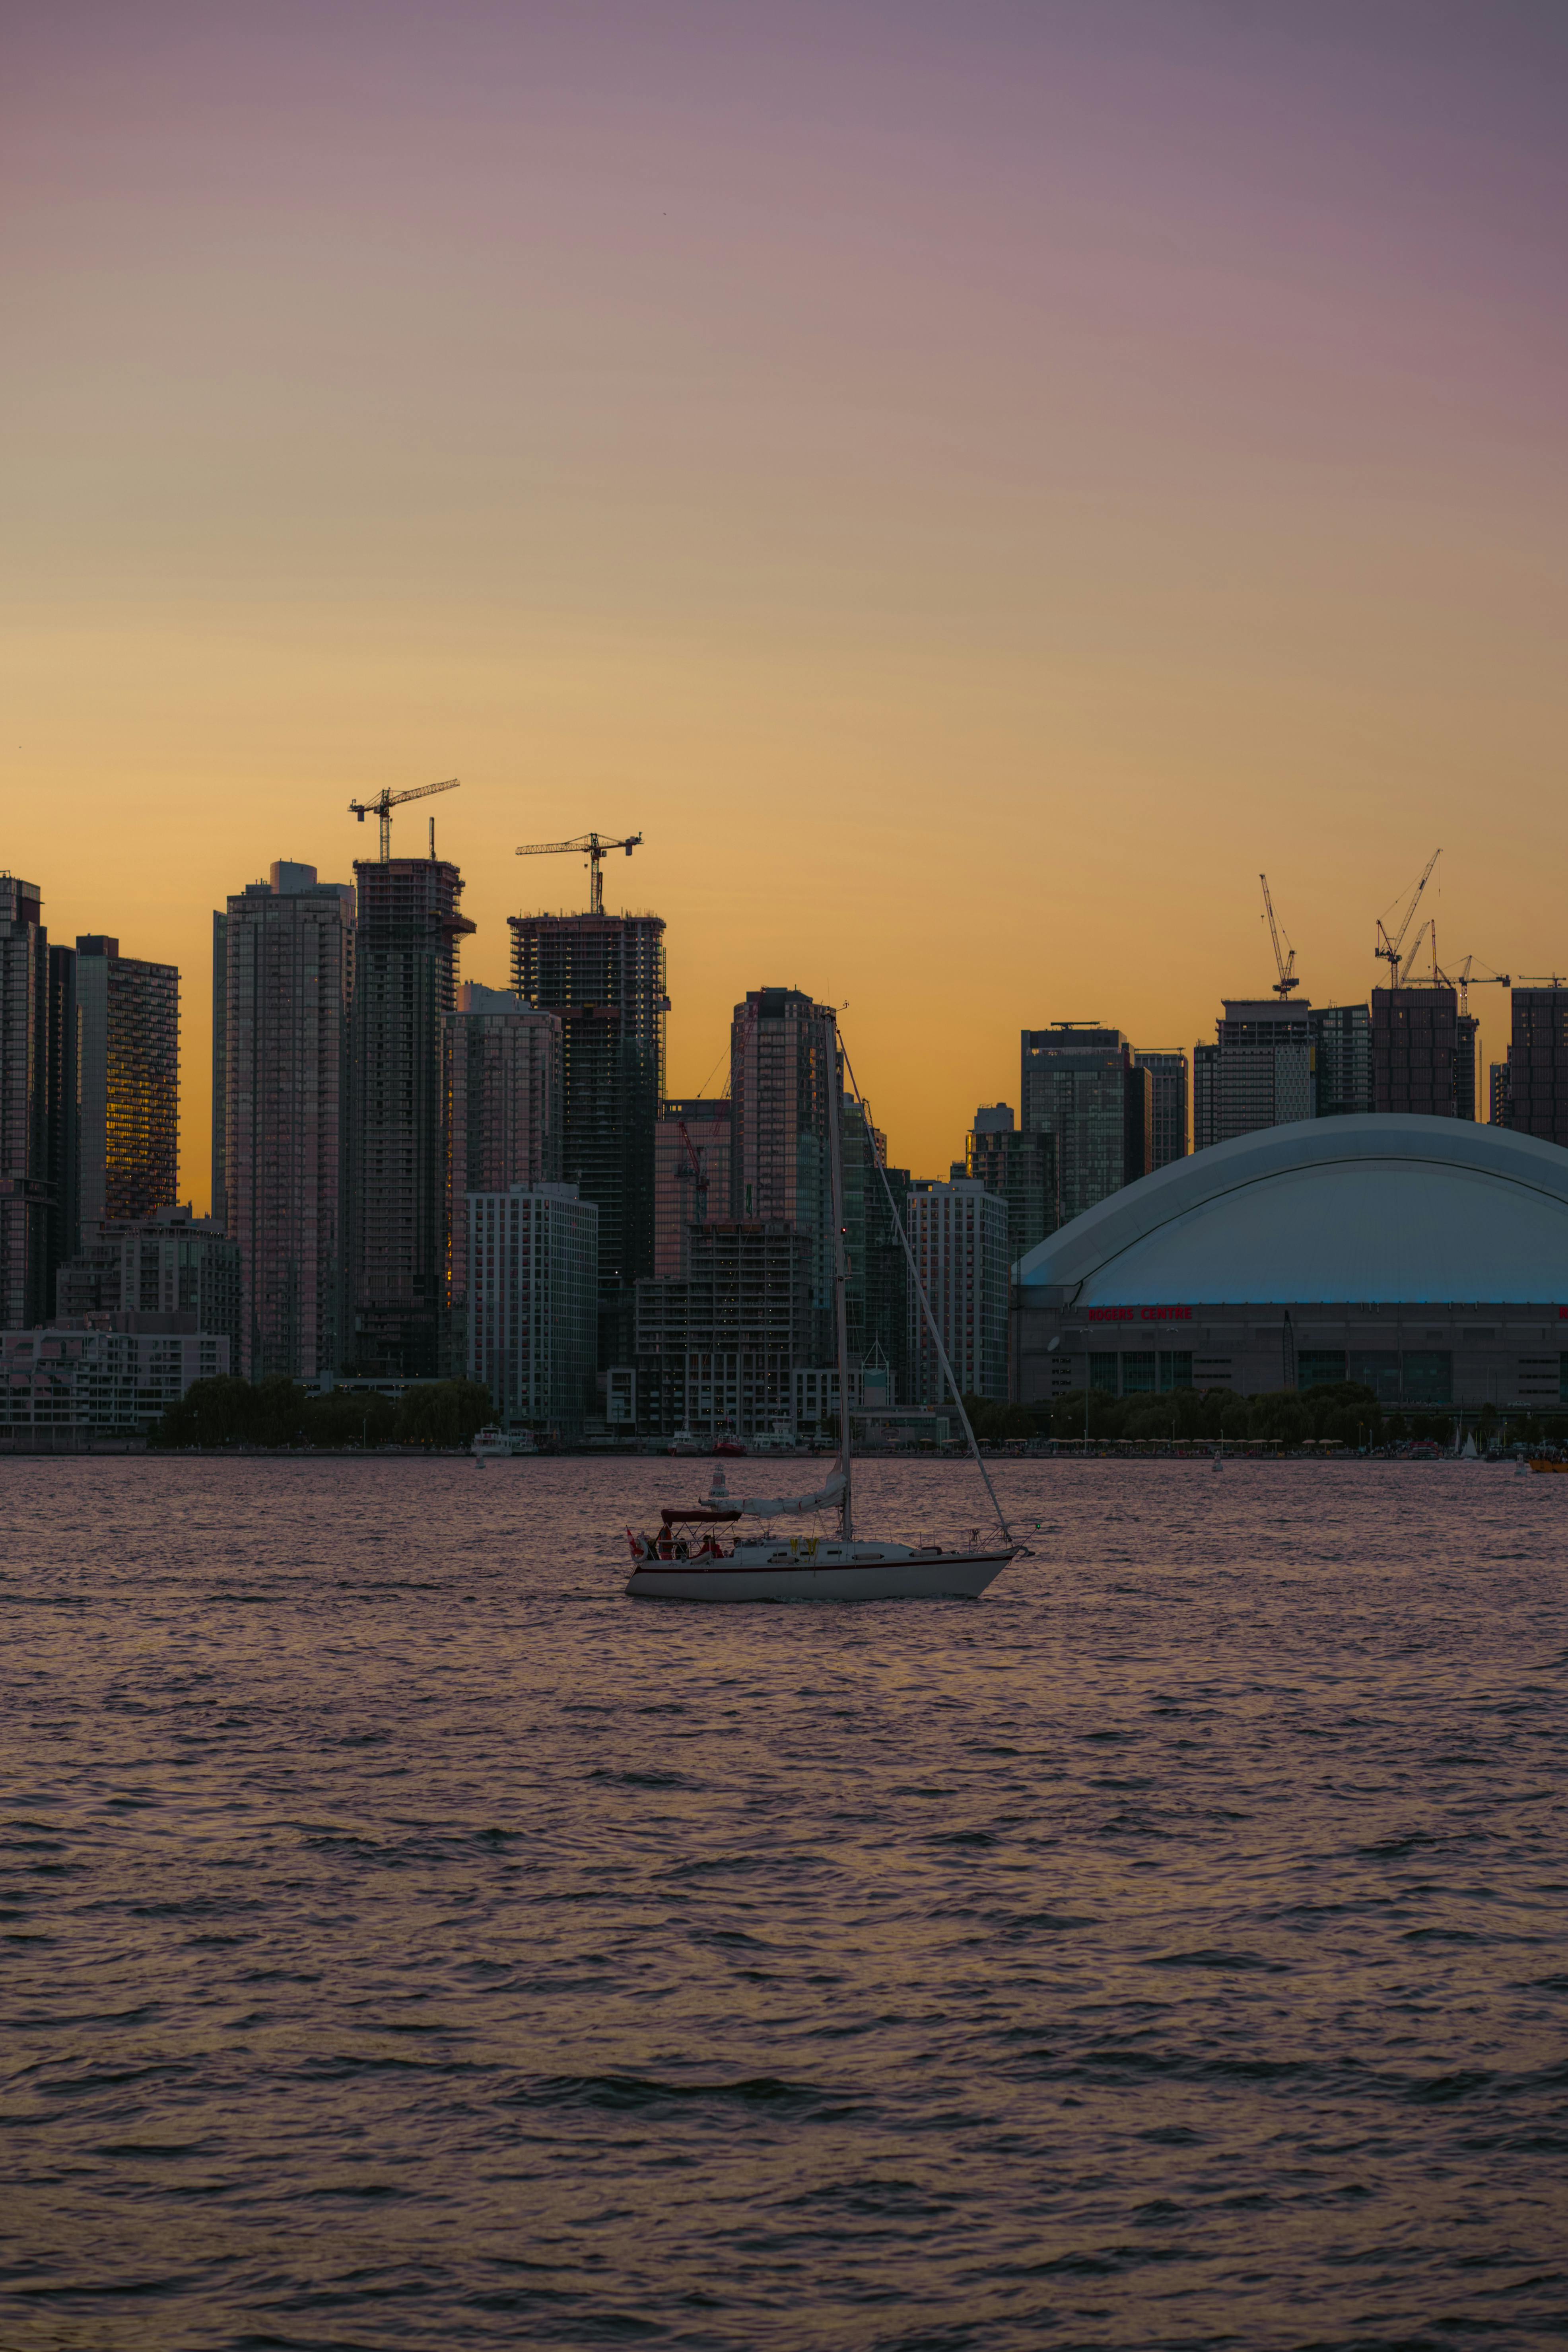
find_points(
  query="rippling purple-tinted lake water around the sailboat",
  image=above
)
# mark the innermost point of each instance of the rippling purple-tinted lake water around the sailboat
(410, 1942)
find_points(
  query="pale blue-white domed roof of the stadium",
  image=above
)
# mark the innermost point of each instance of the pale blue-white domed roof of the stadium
(1327, 1210)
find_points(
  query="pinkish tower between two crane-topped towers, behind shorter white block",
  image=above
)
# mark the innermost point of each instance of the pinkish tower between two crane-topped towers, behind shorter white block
(504, 1118)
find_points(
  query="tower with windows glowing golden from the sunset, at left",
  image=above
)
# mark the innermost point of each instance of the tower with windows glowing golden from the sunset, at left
(128, 1078)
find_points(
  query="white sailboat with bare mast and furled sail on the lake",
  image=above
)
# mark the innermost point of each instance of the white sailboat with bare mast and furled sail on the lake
(690, 1561)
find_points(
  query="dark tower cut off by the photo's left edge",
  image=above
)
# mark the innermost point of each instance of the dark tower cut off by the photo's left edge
(27, 1180)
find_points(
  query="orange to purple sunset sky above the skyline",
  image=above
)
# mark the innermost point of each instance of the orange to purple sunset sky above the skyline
(972, 486)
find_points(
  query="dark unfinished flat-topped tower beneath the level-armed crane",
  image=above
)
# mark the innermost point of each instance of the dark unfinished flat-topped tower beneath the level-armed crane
(605, 977)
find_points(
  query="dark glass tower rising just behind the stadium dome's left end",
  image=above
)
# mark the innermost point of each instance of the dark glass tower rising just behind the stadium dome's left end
(1083, 1085)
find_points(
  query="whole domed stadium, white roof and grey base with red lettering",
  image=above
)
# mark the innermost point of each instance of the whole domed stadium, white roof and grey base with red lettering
(1423, 1257)
